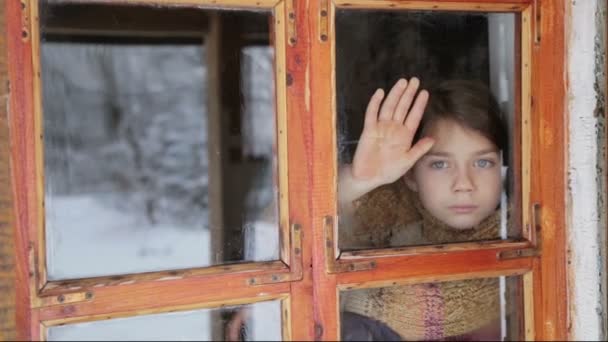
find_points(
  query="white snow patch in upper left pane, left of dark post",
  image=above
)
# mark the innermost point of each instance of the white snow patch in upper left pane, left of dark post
(86, 238)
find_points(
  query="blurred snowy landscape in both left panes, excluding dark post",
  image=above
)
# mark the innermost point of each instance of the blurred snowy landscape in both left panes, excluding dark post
(126, 175)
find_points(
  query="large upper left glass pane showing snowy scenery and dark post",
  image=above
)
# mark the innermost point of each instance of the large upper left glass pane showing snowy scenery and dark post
(159, 138)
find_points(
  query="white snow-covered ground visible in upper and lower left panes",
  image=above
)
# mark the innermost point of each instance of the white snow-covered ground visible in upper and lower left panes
(117, 242)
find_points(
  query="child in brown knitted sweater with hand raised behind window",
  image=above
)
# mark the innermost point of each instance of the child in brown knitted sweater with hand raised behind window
(426, 179)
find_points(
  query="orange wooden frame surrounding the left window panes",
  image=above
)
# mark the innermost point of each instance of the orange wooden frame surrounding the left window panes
(42, 303)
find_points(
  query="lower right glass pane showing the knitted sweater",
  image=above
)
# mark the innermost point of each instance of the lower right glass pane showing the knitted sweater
(488, 309)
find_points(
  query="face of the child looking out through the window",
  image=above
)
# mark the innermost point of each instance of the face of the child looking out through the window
(458, 181)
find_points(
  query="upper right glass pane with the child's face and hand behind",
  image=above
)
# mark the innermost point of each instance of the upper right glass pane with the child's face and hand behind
(425, 167)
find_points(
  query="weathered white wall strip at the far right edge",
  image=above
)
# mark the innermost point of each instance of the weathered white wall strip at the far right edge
(587, 174)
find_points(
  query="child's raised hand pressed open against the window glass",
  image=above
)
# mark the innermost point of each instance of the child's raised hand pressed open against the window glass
(385, 152)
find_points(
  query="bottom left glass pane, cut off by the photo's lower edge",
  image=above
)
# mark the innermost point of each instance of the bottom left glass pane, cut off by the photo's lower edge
(262, 323)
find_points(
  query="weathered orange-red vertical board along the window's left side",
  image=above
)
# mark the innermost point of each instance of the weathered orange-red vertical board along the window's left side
(22, 157)
